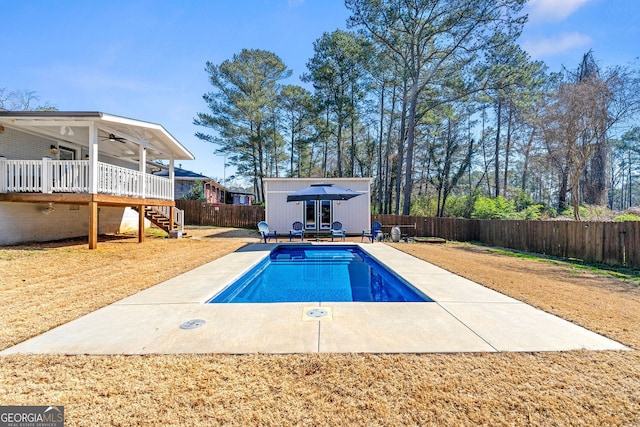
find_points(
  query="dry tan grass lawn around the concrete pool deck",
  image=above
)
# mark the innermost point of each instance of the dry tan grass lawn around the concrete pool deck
(42, 286)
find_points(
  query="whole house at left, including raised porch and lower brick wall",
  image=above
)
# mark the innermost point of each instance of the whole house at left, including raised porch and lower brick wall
(74, 174)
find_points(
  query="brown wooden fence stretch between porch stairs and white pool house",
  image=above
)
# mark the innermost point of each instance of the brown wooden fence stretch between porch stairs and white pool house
(220, 215)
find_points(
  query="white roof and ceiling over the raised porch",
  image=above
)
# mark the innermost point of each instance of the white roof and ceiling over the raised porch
(73, 127)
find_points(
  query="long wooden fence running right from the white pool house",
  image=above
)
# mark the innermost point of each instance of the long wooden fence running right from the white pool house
(611, 243)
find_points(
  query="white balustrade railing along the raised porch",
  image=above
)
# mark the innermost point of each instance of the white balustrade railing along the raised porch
(72, 176)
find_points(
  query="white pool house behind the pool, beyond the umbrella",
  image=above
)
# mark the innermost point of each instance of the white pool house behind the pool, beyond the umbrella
(317, 216)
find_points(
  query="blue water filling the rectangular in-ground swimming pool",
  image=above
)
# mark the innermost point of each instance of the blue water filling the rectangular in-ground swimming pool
(315, 273)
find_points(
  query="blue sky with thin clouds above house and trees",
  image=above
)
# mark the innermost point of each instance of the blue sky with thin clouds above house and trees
(145, 59)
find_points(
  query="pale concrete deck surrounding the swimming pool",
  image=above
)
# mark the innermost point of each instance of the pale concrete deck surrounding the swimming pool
(464, 317)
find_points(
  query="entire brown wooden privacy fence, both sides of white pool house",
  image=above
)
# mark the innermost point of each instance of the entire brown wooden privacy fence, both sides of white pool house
(611, 243)
